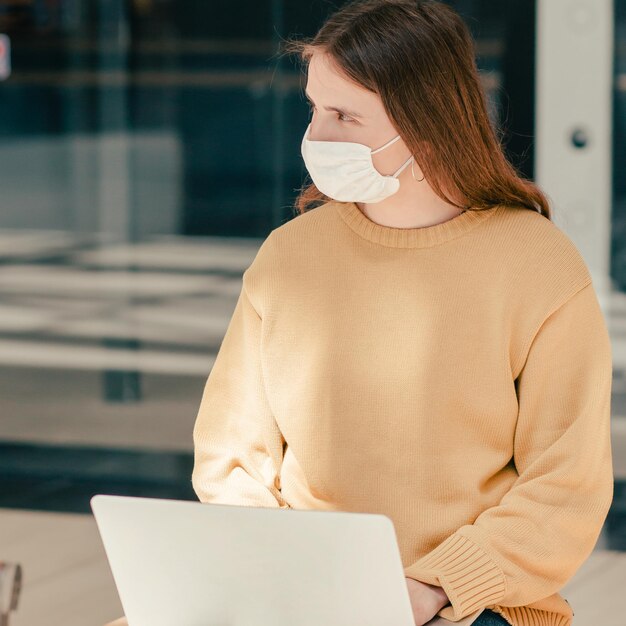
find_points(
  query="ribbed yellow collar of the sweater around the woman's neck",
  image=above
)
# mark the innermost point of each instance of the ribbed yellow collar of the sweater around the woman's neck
(412, 237)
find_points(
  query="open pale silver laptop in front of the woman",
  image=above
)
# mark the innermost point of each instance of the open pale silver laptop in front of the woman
(199, 564)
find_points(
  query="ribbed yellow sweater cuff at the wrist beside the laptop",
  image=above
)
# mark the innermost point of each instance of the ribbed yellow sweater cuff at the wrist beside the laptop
(468, 575)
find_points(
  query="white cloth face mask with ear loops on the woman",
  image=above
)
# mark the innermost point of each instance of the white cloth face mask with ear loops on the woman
(344, 171)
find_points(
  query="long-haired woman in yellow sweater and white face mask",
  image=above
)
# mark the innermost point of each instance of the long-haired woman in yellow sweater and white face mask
(425, 343)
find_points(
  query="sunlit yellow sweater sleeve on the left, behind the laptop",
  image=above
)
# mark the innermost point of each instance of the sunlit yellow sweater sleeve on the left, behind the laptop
(238, 447)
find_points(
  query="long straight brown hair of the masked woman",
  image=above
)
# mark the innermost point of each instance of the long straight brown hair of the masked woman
(419, 57)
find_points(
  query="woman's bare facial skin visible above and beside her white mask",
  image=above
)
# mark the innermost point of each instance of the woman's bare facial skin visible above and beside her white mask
(344, 111)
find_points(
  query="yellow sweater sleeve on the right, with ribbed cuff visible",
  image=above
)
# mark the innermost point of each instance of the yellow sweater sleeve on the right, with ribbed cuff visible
(532, 543)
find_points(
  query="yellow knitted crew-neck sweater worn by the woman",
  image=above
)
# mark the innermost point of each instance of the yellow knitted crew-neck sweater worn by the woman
(456, 378)
